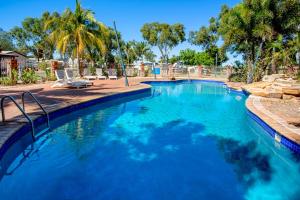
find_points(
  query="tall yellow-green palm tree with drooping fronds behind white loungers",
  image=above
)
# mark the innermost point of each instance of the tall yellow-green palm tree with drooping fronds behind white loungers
(78, 29)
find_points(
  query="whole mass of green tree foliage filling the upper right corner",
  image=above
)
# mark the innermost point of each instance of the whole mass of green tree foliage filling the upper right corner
(253, 28)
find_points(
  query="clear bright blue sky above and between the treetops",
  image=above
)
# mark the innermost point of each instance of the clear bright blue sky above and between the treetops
(129, 15)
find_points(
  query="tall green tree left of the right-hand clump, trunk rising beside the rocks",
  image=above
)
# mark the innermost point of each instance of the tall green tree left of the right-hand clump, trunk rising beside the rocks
(244, 27)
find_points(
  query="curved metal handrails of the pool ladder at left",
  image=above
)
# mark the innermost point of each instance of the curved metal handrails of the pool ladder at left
(22, 110)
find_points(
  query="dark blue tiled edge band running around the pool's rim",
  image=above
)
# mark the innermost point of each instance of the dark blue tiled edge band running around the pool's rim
(288, 142)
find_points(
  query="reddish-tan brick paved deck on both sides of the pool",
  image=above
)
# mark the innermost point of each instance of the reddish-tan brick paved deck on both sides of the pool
(56, 98)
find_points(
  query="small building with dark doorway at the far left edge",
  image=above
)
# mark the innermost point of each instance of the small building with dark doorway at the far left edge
(10, 60)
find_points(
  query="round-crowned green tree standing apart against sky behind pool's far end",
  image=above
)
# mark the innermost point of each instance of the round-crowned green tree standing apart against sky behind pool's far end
(164, 36)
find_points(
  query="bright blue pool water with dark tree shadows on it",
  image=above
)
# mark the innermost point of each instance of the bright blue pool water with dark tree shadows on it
(181, 141)
